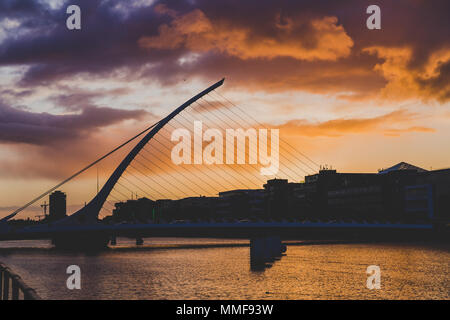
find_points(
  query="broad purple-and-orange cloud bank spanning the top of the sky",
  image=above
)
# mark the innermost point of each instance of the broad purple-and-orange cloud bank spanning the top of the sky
(269, 45)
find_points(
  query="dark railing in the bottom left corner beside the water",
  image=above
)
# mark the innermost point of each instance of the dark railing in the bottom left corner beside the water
(12, 286)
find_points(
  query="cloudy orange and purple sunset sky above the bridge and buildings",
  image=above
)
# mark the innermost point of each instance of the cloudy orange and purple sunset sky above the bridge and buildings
(340, 94)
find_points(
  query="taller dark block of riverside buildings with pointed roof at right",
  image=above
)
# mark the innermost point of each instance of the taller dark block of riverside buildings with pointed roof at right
(402, 192)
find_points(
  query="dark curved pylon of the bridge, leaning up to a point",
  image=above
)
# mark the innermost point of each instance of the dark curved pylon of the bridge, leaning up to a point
(90, 212)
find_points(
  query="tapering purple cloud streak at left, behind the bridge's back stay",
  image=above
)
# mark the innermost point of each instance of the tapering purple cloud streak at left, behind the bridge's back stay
(22, 126)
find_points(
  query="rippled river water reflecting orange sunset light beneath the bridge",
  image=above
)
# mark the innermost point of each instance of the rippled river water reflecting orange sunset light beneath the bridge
(173, 269)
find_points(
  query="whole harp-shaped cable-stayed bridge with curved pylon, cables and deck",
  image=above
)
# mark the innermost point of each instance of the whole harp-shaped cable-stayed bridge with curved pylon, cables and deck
(144, 170)
